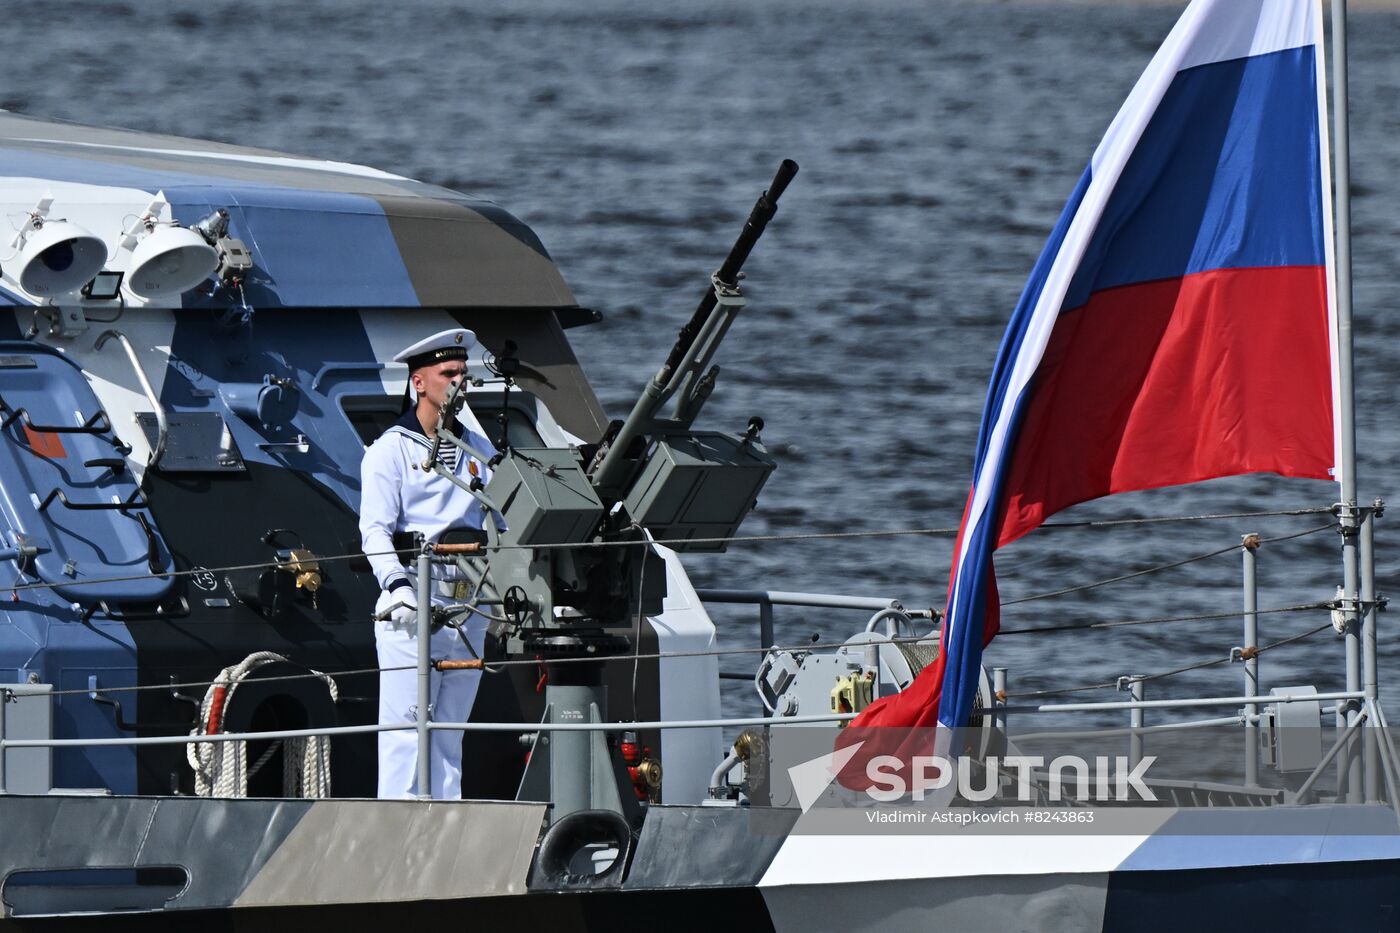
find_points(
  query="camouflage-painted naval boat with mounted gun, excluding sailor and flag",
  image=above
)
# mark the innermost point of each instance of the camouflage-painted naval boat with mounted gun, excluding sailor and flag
(191, 368)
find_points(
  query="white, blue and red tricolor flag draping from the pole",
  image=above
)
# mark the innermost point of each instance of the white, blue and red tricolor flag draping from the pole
(1179, 323)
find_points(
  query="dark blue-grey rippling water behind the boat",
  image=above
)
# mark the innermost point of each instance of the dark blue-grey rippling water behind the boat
(937, 141)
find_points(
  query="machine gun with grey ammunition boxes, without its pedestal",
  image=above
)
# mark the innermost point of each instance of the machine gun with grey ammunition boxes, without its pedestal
(652, 474)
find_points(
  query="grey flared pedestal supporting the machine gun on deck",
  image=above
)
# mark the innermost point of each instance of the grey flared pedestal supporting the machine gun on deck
(577, 770)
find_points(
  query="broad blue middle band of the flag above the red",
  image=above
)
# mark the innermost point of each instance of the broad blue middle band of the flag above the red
(1221, 179)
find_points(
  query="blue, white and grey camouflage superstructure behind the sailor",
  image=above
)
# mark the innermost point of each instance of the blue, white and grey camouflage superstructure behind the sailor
(223, 425)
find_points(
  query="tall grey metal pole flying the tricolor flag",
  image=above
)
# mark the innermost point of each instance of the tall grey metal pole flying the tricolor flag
(1347, 417)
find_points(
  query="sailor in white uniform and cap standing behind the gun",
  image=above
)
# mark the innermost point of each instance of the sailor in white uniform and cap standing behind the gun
(398, 495)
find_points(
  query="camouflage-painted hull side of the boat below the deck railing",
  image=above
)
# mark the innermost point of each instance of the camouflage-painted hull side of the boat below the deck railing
(365, 864)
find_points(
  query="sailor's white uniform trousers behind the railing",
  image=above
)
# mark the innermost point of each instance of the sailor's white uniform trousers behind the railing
(451, 697)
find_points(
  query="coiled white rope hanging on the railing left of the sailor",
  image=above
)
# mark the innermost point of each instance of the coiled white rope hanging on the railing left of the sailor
(222, 768)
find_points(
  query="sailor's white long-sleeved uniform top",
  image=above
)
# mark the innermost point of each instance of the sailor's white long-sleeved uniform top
(398, 495)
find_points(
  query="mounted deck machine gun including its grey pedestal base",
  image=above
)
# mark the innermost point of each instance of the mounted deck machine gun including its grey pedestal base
(566, 558)
